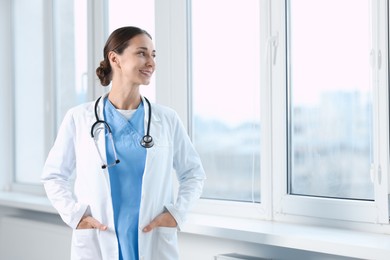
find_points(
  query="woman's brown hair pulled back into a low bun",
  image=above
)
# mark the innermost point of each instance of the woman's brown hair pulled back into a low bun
(117, 42)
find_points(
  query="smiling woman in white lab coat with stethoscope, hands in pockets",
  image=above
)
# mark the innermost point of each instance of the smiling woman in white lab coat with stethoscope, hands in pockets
(120, 153)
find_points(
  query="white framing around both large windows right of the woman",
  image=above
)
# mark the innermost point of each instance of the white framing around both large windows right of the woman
(173, 89)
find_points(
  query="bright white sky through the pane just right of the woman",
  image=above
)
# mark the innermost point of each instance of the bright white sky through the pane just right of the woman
(226, 58)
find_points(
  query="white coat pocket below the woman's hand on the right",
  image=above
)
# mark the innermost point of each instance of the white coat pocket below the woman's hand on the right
(167, 243)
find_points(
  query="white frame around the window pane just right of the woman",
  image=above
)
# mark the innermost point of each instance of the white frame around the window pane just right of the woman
(173, 79)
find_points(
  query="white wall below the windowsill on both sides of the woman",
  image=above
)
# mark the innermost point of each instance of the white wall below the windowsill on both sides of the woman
(31, 235)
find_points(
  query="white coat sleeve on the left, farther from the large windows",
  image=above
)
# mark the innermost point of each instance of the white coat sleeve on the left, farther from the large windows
(57, 174)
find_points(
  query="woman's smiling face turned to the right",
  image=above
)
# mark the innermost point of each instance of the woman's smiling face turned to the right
(136, 64)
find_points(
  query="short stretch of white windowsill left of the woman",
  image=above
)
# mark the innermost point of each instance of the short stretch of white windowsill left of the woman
(26, 201)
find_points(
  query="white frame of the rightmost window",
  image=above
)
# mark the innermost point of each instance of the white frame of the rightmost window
(287, 206)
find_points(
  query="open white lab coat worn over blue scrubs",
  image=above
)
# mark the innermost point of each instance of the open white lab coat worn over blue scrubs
(74, 159)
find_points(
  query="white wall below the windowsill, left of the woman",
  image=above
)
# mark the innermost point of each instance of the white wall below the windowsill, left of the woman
(33, 236)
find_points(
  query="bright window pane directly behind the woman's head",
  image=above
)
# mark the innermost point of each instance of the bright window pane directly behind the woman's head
(134, 13)
